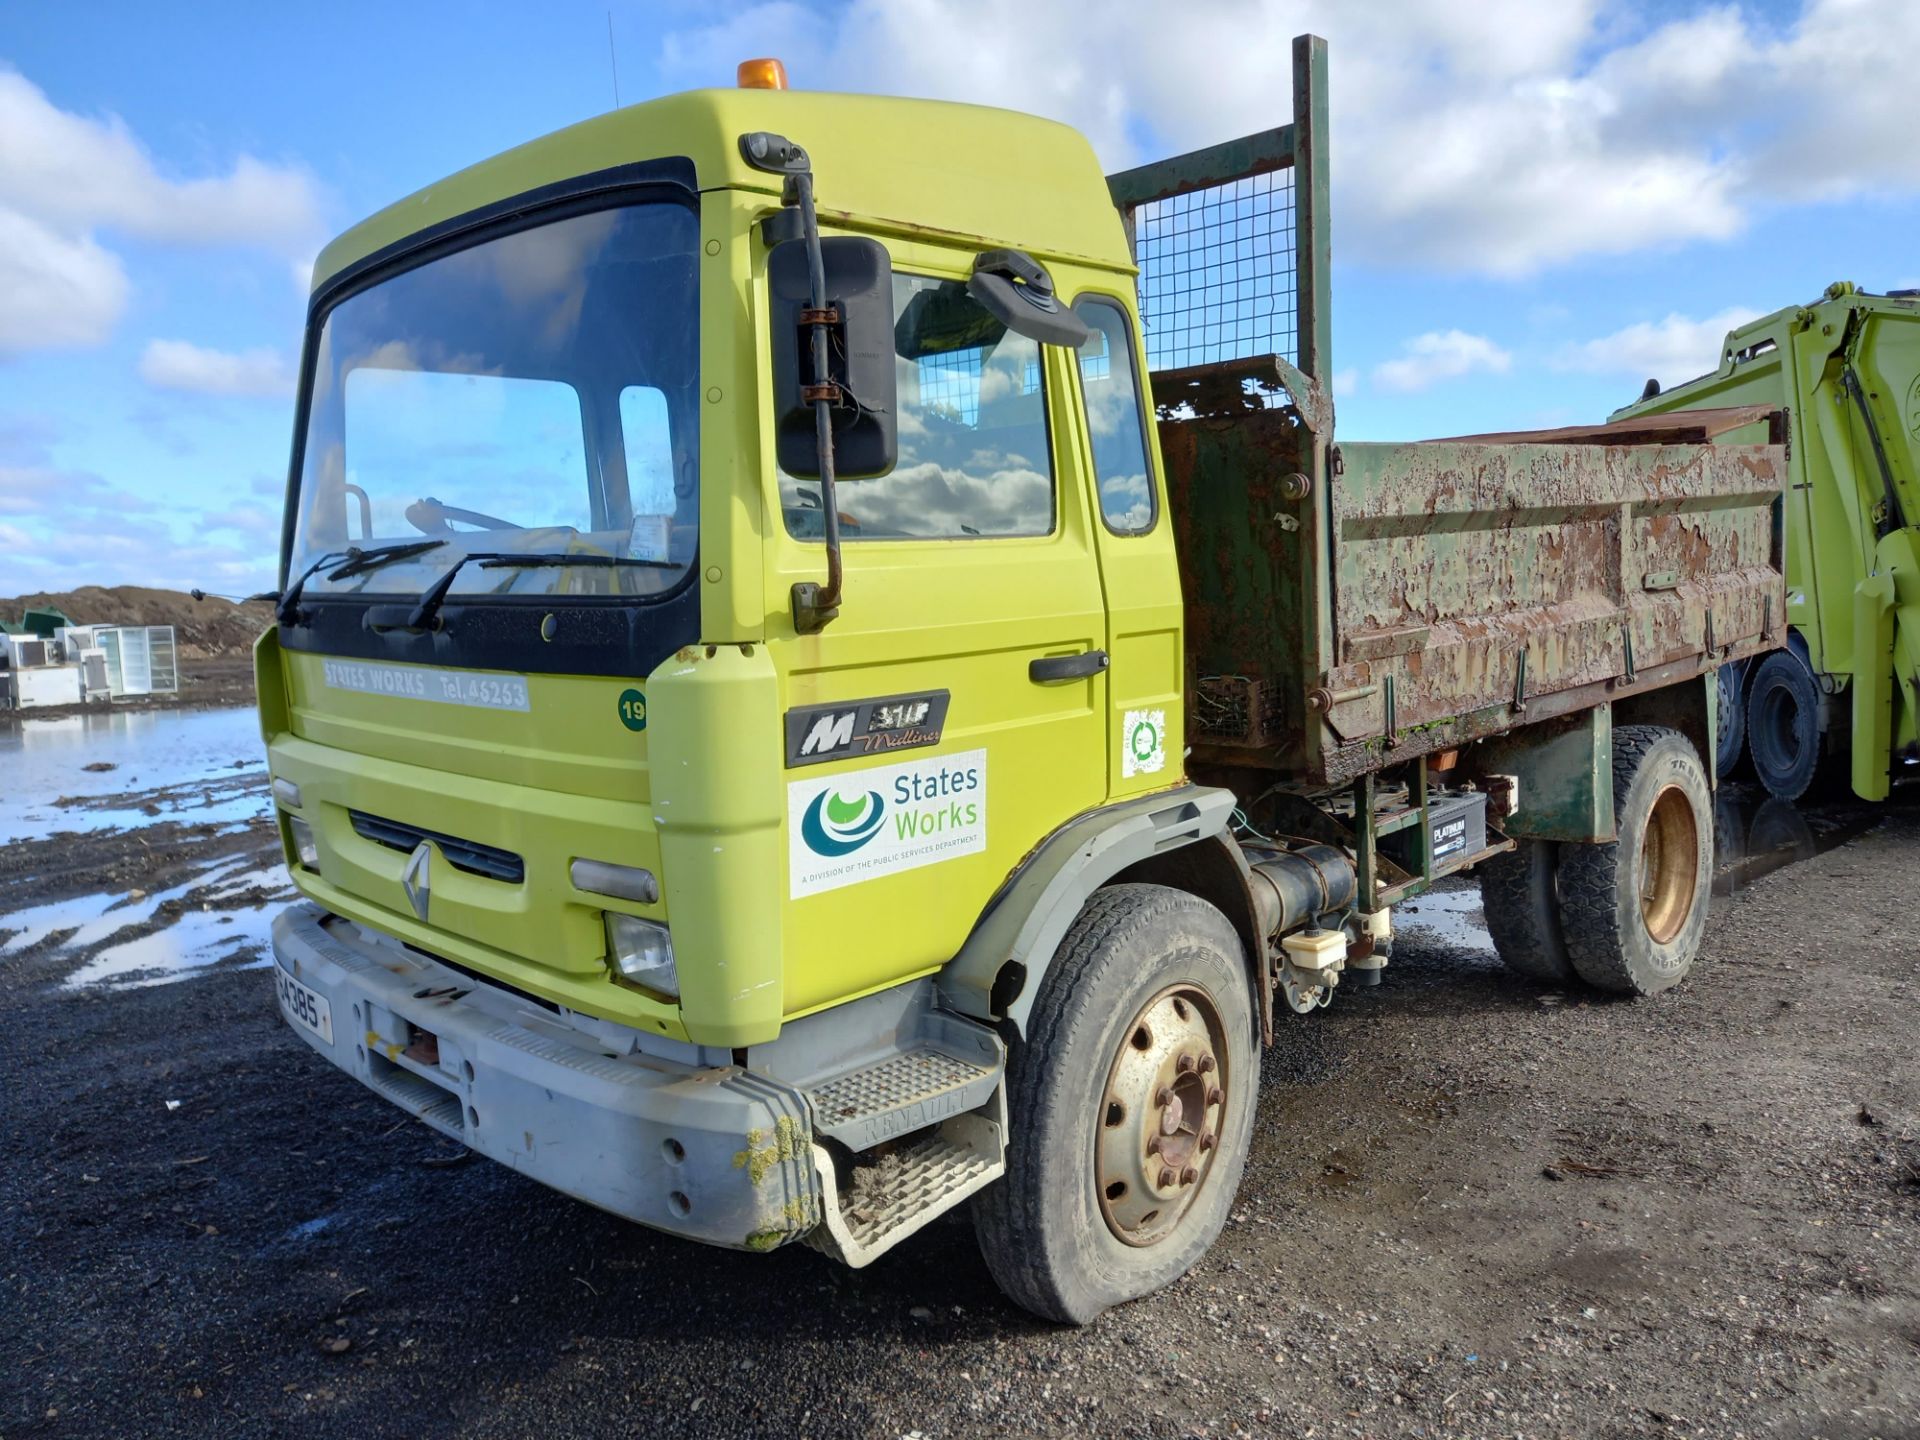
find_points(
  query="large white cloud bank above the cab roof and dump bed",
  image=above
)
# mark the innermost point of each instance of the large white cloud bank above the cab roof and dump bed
(1499, 137)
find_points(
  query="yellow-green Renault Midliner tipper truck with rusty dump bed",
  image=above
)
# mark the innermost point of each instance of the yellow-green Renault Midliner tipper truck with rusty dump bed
(830, 665)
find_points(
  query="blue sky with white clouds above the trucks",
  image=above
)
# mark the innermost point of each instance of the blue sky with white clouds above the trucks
(1537, 206)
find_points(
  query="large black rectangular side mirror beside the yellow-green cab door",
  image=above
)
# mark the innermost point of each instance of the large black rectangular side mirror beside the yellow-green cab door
(859, 291)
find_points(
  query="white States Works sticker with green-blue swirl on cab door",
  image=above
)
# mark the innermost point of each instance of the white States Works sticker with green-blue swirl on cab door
(875, 823)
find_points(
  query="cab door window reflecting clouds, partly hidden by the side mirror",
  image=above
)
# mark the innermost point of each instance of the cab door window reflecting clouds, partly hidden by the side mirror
(976, 460)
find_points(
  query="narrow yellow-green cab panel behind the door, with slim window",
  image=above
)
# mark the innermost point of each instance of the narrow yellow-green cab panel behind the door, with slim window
(1134, 540)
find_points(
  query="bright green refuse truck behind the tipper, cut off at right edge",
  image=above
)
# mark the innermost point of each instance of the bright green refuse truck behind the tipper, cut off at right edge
(1844, 696)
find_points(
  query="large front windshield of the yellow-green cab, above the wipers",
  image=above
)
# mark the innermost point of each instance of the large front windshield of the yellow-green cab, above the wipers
(535, 395)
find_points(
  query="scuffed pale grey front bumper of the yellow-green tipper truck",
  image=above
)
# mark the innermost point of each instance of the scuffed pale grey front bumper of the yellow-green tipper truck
(715, 1155)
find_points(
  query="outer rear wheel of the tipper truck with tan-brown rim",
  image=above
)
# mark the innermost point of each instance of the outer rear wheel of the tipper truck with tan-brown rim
(1635, 911)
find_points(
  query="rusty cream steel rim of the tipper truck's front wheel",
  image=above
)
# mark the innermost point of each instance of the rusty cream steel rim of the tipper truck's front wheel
(1157, 1132)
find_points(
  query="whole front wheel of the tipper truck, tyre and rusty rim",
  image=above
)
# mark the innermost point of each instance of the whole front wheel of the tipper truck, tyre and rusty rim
(1130, 1107)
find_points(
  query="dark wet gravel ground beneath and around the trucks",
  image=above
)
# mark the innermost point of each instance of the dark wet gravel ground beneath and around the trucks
(1474, 1211)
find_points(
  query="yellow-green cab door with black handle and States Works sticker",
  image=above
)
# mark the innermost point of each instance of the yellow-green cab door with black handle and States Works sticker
(955, 713)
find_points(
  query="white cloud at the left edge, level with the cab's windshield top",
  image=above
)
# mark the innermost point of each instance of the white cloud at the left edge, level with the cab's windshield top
(66, 180)
